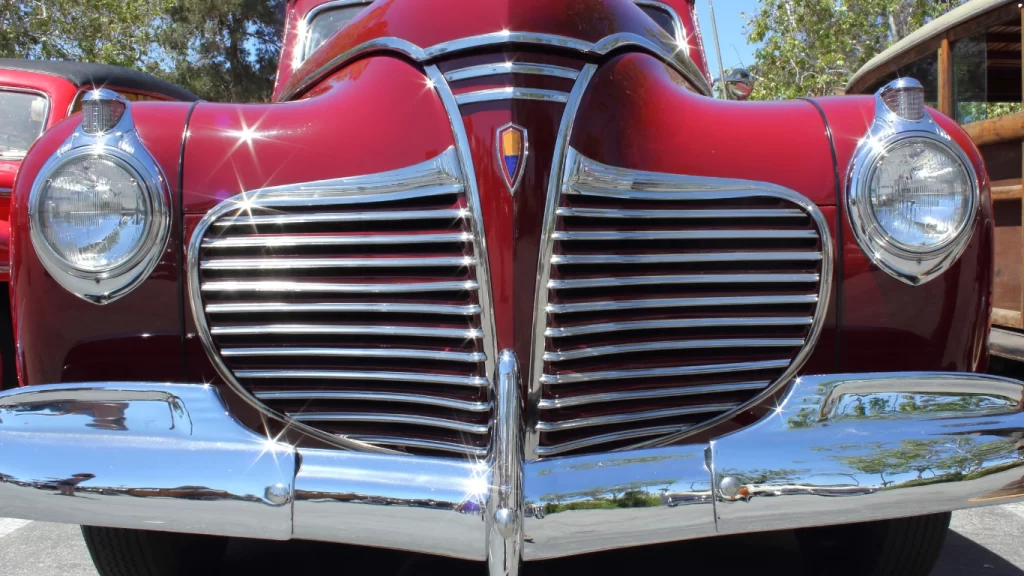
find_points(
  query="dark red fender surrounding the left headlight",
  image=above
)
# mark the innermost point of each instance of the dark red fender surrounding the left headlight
(63, 339)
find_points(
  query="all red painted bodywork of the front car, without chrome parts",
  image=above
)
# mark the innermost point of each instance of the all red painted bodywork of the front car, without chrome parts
(379, 113)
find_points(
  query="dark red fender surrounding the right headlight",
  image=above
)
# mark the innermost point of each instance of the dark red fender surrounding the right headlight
(889, 325)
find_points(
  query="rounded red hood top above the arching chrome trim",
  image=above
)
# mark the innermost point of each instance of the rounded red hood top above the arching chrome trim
(589, 21)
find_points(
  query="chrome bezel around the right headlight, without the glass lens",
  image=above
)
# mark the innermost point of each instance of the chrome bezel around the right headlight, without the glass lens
(888, 132)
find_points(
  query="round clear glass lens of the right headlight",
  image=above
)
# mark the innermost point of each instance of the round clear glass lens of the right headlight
(920, 195)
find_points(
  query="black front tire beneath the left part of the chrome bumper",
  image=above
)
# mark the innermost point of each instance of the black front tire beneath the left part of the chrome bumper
(118, 552)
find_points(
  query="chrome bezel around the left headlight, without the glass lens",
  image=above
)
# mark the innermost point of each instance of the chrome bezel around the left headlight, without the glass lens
(121, 146)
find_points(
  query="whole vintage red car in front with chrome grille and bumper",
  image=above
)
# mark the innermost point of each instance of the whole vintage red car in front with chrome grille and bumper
(485, 258)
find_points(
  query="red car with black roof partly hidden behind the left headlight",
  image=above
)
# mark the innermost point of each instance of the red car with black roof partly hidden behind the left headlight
(34, 97)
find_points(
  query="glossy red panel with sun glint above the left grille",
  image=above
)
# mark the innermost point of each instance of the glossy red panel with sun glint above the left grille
(375, 115)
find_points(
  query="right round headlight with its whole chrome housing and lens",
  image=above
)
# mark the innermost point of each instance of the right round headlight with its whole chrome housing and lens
(913, 194)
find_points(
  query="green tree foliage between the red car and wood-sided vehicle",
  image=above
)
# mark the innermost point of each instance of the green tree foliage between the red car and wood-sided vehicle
(813, 48)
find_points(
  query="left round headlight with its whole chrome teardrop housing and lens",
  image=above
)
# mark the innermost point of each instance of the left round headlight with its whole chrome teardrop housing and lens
(92, 220)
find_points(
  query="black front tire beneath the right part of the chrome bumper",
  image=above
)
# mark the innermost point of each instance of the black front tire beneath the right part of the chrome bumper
(906, 547)
